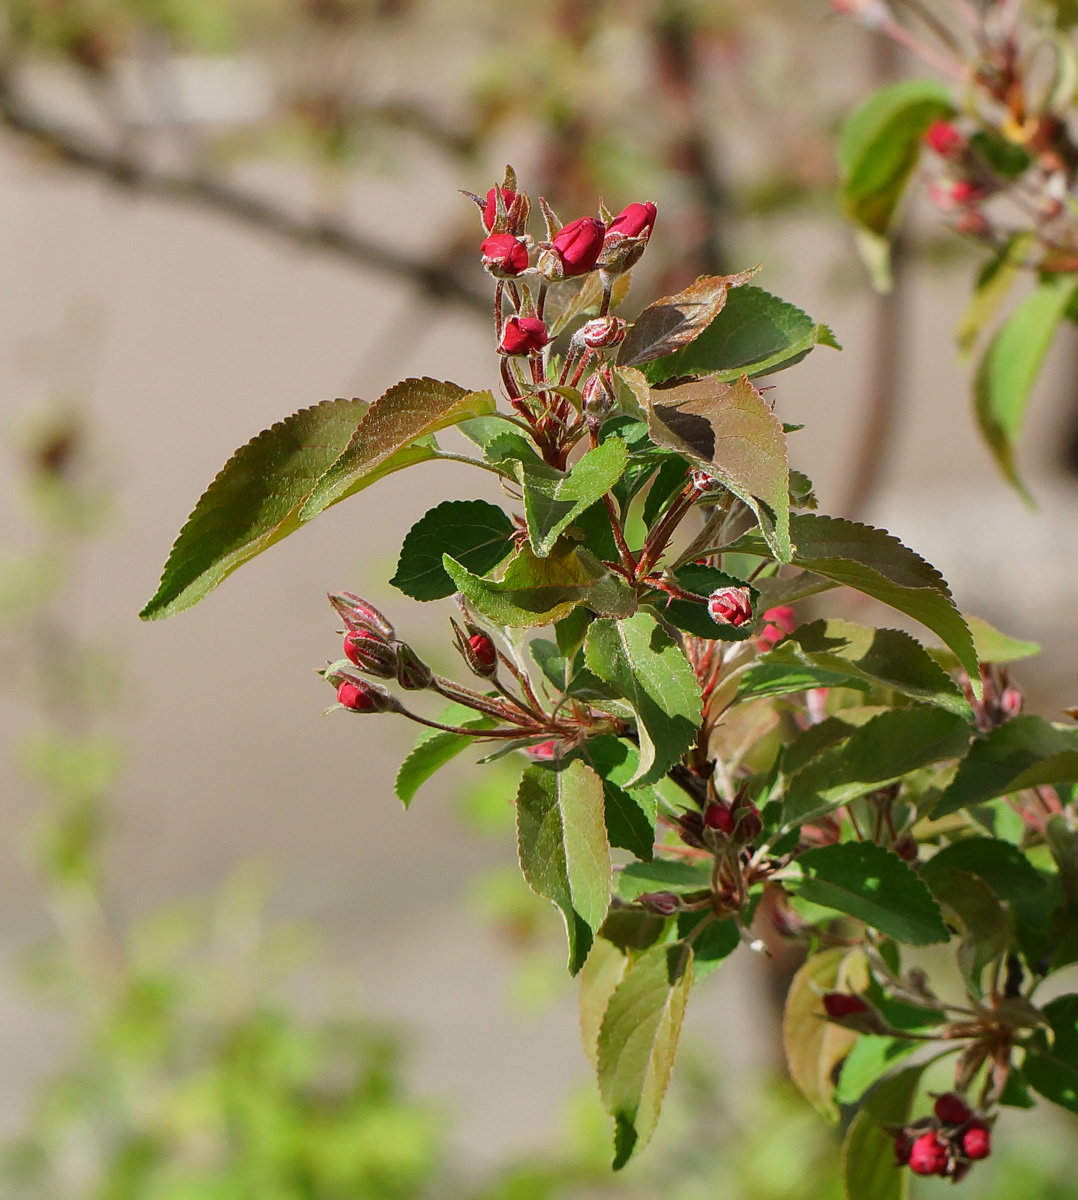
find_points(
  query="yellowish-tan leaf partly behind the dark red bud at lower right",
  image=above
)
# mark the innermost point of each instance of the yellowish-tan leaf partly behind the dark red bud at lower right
(815, 1046)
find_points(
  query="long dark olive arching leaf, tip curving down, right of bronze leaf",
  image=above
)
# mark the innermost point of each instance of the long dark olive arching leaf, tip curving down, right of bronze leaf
(873, 562)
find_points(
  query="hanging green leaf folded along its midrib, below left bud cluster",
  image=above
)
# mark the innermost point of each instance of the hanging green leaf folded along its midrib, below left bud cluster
(564, 850)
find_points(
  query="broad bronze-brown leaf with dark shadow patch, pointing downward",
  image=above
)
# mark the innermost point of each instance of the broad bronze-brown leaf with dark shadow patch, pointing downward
(730, 430)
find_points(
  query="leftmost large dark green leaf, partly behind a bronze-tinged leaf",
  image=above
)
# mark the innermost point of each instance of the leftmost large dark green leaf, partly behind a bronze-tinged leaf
(255, 501)
